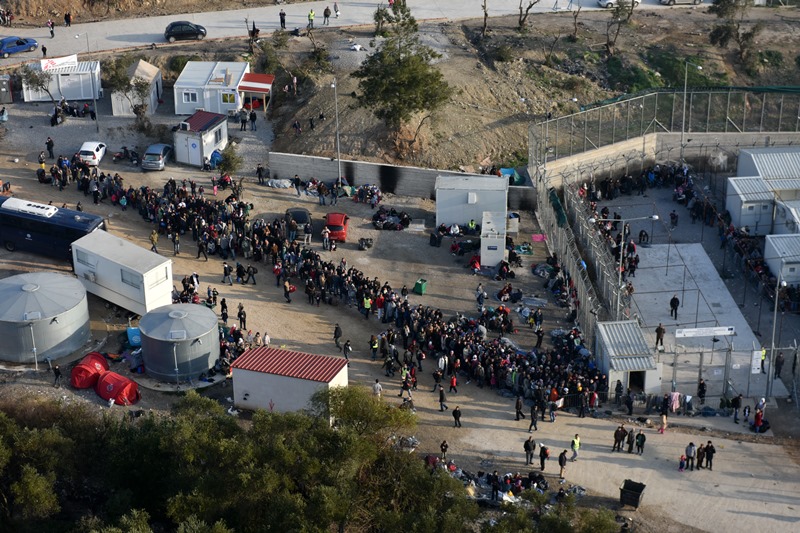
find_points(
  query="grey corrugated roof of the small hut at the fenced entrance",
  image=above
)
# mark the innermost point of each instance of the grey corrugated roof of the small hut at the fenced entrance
(626, 347)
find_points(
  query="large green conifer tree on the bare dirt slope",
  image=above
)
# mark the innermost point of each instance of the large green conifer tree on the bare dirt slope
(398, 80)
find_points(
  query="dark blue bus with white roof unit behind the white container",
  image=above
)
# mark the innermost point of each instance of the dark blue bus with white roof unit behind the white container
(43, 229)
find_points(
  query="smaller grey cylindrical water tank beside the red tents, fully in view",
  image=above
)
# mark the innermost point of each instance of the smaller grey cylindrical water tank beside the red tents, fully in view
(180, 336)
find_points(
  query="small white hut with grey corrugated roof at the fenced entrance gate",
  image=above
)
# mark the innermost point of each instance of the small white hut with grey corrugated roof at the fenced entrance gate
(623, 354)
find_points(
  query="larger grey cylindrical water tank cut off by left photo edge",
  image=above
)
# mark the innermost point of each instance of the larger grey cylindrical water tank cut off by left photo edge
(42, 311)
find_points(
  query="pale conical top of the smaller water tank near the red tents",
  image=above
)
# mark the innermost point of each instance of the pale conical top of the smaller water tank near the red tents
(178, 322)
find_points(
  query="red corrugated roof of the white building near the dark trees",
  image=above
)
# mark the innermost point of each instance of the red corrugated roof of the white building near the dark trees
(290, 364)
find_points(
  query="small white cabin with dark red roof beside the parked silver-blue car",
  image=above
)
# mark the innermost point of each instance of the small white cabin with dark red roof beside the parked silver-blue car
(198, 136)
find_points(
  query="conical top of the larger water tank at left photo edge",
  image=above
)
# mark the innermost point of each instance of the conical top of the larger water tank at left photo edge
(38, 295)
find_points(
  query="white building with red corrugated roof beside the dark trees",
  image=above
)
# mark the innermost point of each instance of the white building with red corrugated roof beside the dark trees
(283, 380)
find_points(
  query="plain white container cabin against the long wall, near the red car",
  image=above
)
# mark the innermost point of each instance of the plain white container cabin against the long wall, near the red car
(460, 199)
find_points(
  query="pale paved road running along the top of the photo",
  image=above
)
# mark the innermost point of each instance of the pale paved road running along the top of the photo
(121, 34)
